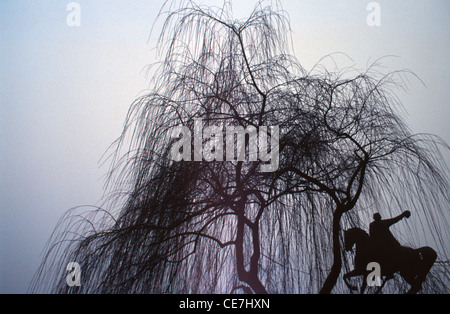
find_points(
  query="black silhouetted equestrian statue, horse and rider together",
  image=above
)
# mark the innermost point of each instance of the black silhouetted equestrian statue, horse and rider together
(382, 247)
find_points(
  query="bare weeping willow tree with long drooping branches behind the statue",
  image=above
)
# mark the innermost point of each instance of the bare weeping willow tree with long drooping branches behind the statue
(226, 226)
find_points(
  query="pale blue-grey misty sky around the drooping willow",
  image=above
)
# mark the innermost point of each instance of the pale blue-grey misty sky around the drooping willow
(65, 91)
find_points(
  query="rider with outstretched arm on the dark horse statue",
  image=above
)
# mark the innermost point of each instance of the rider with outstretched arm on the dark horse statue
(385, 244)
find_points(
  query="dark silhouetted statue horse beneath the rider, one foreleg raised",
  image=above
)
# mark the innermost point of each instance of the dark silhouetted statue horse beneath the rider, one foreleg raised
(412, 264)
